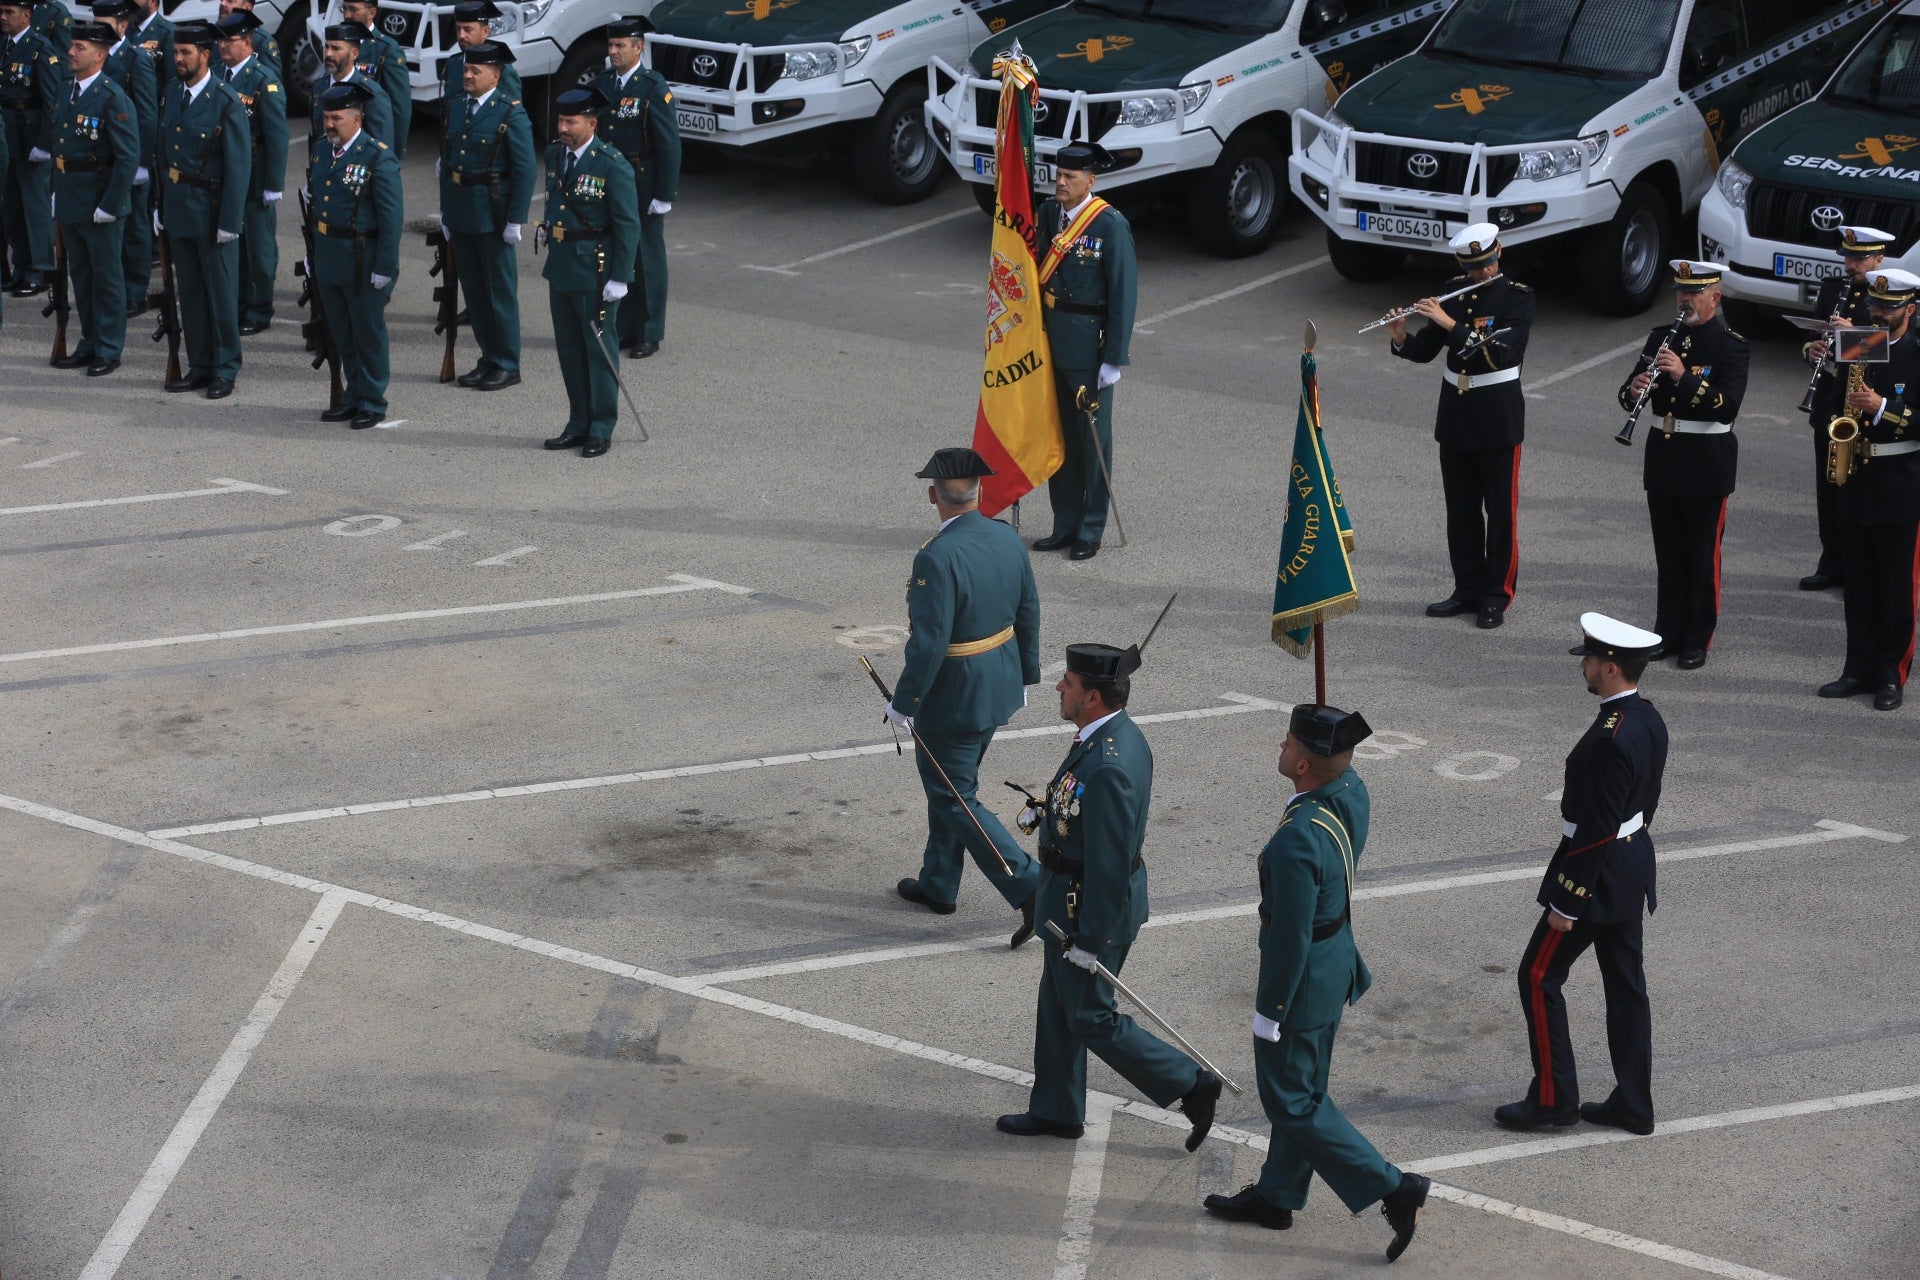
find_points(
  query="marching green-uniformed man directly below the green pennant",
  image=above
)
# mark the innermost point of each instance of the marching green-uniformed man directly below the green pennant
(1310, 970)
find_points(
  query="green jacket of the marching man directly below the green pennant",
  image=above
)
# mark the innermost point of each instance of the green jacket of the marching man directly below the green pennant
(1307, 880)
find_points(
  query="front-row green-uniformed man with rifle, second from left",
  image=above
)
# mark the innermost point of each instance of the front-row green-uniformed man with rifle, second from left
(204, 174)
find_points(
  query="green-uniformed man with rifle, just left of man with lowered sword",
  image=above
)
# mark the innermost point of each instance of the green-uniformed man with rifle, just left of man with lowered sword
(487, 187)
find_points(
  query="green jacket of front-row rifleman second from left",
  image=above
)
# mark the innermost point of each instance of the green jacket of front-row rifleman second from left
(204, 143)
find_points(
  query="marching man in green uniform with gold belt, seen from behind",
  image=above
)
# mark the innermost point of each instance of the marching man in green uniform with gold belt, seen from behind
(974, 650)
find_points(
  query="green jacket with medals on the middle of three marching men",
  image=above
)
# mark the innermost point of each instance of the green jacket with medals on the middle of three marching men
(1095, 832)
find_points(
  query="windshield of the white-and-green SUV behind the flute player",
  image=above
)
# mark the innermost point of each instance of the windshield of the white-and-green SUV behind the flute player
(1602, 39)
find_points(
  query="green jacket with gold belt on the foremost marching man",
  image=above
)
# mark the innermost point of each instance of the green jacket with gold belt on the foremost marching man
(971, 581)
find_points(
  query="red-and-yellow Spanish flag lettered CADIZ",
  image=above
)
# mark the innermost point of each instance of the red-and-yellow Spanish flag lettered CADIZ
(1019, 421)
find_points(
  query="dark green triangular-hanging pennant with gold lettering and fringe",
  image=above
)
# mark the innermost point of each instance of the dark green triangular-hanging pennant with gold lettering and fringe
(1316, 577)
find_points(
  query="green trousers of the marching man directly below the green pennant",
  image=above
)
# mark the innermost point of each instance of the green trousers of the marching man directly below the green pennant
(1310, 1135)
